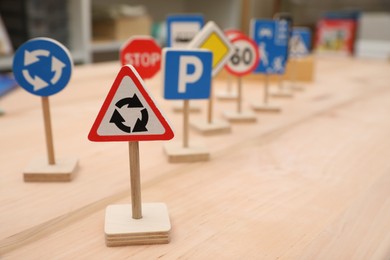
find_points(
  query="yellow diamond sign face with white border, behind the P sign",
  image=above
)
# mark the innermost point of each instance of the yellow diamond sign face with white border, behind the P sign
(212, 38)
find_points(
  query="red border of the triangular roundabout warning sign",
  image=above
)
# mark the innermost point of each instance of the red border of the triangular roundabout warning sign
(130, 71)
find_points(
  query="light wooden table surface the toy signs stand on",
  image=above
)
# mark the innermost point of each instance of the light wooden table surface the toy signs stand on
(312, 182)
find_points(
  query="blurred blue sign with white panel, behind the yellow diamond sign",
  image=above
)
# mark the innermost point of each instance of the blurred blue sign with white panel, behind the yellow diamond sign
(182, 28)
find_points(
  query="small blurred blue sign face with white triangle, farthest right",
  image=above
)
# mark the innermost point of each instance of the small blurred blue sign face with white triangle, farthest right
(300, 42)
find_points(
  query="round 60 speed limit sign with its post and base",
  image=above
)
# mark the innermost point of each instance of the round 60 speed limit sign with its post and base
(244, 60)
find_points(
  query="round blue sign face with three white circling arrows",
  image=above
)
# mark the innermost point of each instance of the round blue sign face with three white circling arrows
(42, 66)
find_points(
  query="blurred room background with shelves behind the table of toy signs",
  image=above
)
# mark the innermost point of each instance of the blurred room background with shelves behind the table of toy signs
(95, 29)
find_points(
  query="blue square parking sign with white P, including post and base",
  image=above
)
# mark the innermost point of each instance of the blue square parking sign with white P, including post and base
(186, 75)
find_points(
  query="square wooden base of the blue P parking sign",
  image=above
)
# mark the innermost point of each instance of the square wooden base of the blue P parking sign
(193, 153)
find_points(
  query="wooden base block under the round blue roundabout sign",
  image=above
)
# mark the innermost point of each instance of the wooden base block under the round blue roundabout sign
(39, 170)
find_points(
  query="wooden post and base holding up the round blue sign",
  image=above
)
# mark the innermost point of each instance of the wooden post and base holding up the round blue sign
(49, 170)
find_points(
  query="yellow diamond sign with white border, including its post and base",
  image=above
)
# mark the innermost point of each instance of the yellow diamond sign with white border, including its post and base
(212, 38)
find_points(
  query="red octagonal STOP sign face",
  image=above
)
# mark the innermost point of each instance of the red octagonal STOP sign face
(143, 53)
